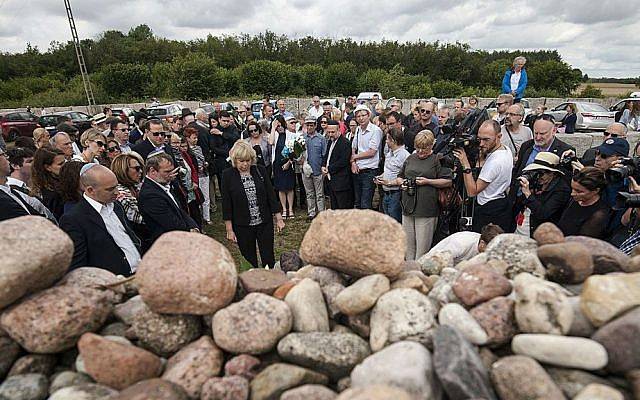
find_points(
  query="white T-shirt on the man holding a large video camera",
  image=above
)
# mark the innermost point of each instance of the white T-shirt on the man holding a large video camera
(497, 173)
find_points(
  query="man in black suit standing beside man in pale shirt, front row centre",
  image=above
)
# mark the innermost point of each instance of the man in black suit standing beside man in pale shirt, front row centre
(336, 168)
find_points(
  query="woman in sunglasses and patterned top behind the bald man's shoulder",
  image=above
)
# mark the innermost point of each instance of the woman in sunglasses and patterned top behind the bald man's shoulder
(129, 170)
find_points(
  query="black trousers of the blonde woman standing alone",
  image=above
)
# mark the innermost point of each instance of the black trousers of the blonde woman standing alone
(247, 237)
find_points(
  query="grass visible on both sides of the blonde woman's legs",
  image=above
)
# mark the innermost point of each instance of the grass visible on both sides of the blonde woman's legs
(289, 239)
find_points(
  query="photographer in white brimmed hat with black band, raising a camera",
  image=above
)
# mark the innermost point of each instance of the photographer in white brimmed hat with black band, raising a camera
(544, 193)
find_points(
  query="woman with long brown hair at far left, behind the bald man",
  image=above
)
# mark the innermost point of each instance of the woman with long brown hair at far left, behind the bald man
(45, 173)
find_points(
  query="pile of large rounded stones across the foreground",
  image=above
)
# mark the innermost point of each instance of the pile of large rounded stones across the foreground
(543, 318)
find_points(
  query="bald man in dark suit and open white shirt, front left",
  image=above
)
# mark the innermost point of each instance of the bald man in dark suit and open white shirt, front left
(98, 227)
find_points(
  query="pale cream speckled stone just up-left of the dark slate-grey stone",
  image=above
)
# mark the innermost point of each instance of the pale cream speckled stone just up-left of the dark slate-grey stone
(401, 314)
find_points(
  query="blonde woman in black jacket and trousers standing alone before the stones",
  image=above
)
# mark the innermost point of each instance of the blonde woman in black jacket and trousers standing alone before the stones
(249, 206)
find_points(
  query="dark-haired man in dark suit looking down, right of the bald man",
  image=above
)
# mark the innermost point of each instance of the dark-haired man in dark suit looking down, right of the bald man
(159, 209)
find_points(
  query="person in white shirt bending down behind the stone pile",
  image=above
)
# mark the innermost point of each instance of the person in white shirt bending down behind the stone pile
(466, 245)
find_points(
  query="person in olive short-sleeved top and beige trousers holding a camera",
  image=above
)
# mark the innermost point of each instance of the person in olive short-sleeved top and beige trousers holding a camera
(420, 177)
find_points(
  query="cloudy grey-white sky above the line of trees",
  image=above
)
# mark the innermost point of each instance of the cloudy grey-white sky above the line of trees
(598, 36)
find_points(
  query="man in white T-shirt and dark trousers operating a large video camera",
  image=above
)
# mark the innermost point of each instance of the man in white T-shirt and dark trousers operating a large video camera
(490, 189)
